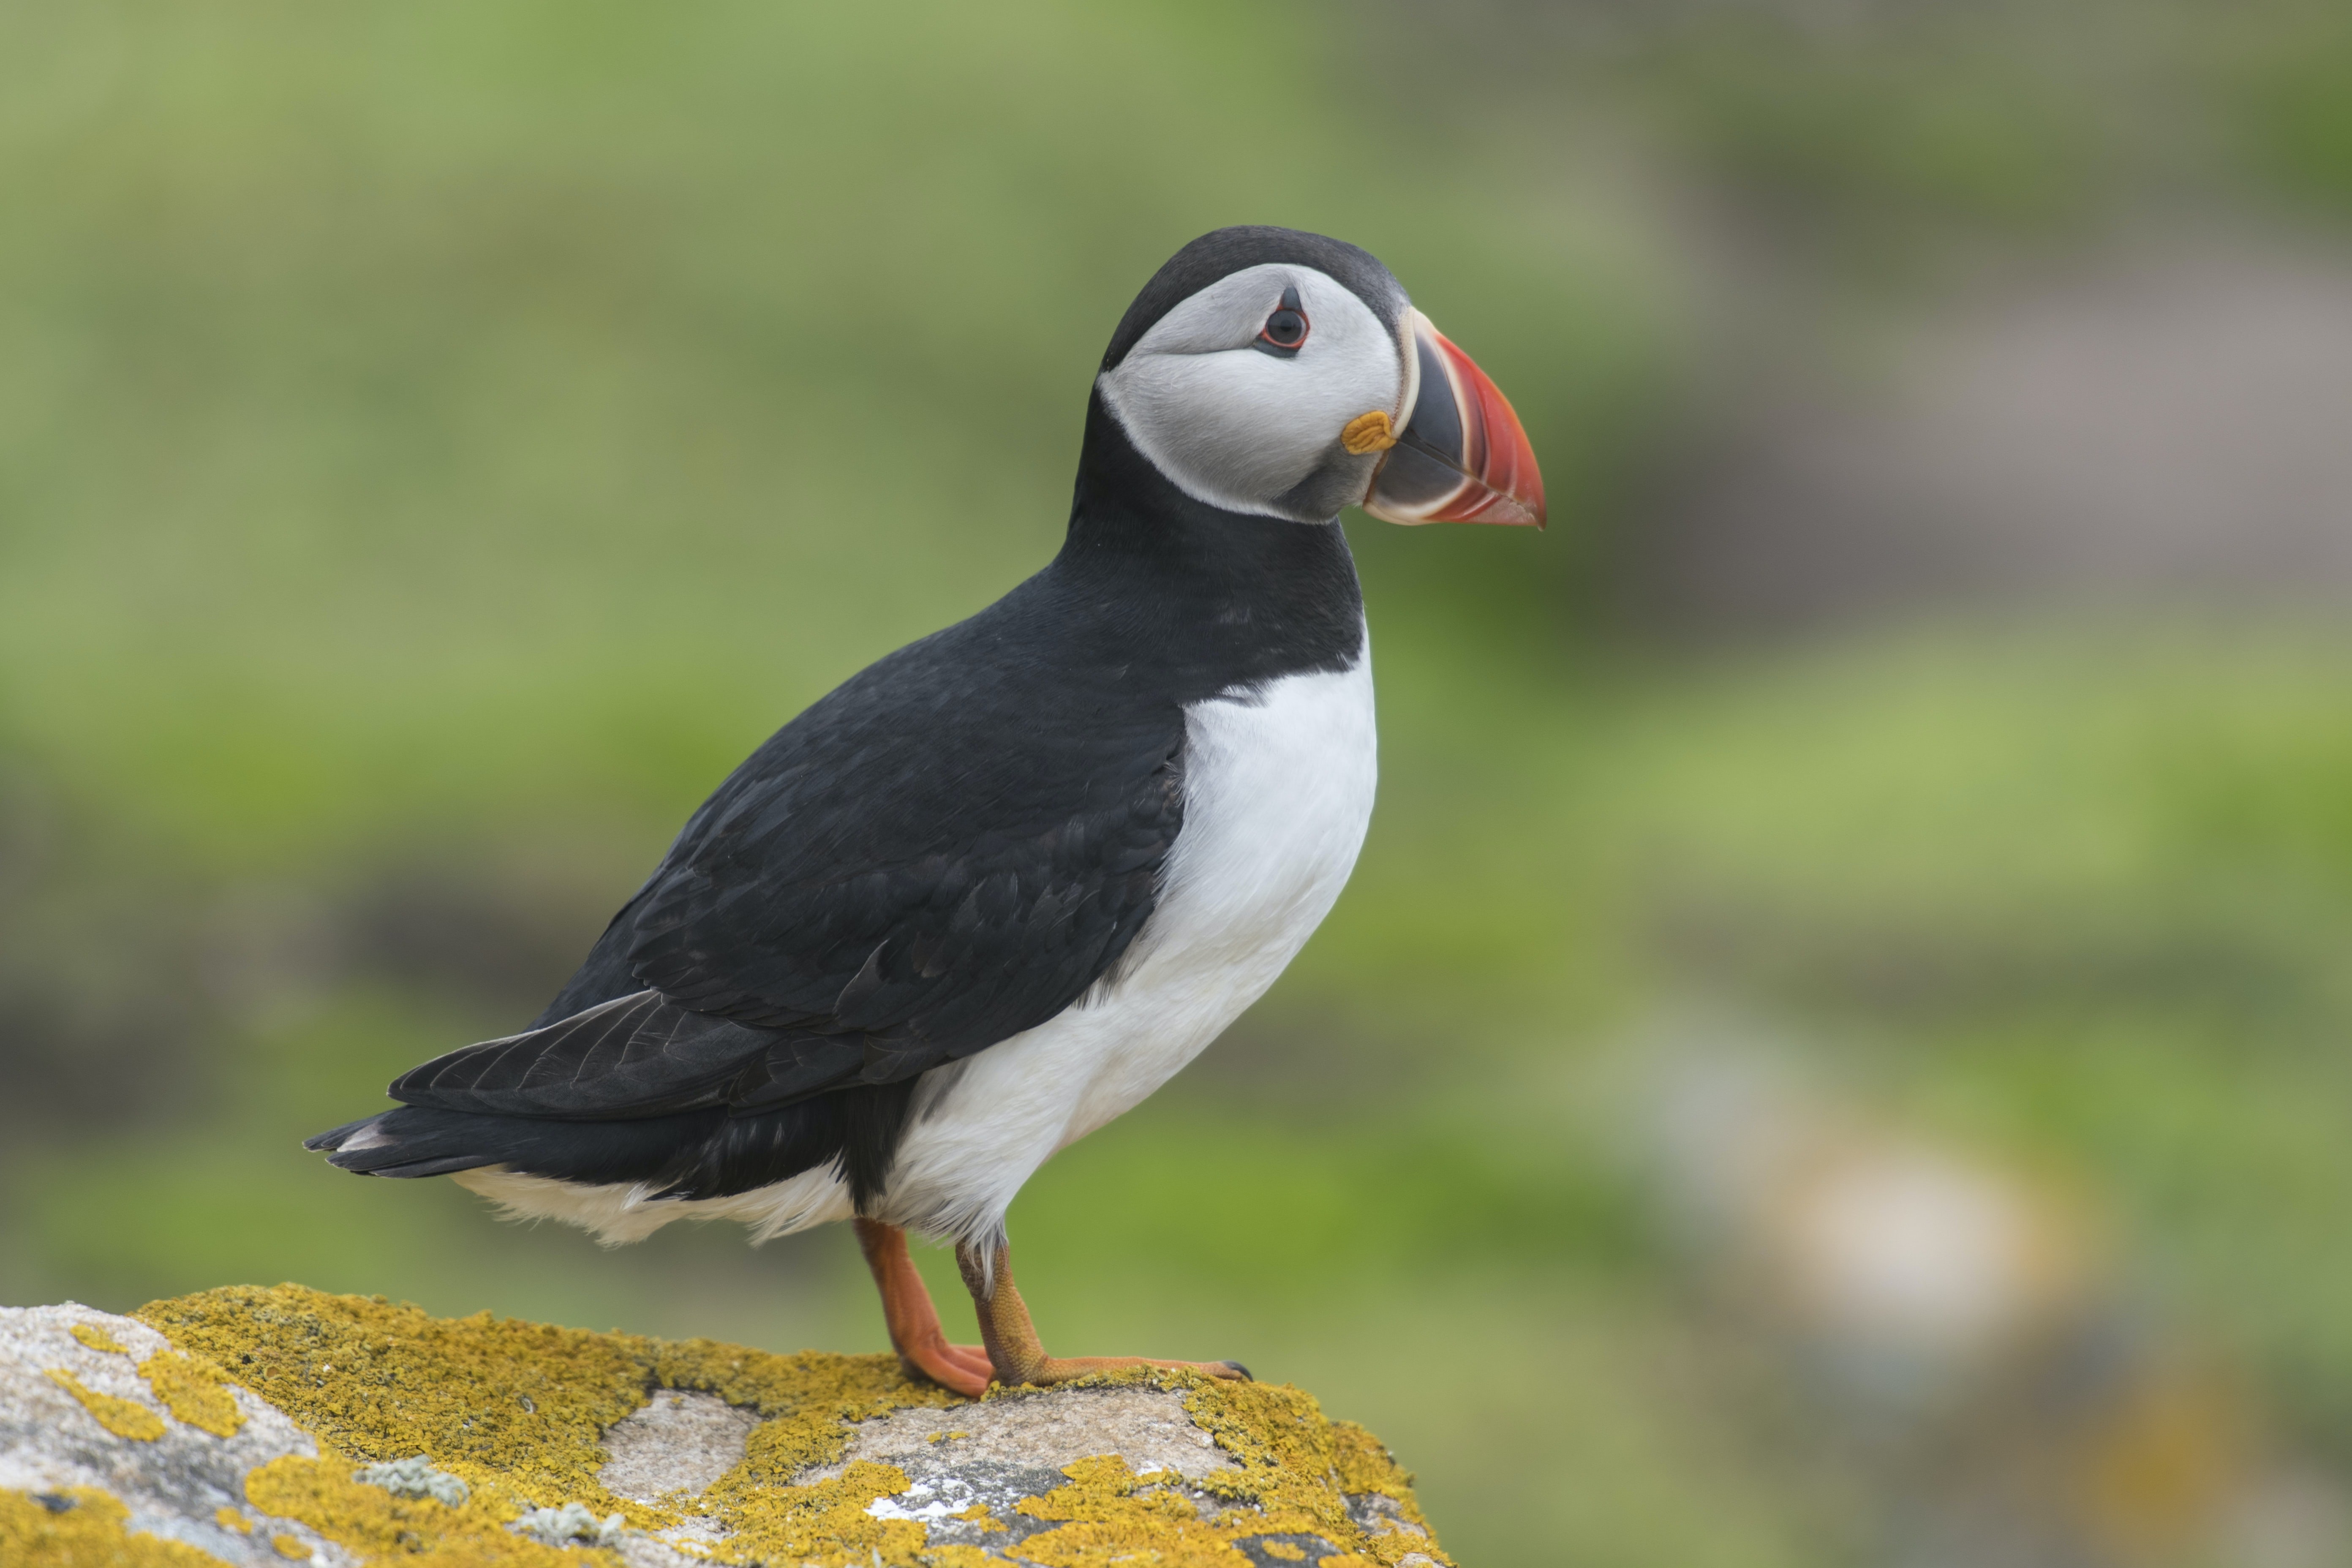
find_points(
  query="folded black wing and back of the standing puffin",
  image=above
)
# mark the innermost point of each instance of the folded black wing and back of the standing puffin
(944, 852)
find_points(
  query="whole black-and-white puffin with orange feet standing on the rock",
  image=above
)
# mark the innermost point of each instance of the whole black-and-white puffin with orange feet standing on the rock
(1005, 883)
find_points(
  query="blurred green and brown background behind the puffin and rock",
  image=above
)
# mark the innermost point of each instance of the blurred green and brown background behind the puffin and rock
(439, 441)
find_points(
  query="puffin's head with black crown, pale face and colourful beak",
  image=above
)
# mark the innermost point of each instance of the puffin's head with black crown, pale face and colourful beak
(1285, 375)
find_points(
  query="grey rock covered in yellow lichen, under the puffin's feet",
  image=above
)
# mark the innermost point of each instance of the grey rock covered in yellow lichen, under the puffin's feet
(267, 1426)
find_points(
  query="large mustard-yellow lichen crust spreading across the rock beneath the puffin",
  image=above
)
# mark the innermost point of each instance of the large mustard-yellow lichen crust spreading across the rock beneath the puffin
(519, 1412)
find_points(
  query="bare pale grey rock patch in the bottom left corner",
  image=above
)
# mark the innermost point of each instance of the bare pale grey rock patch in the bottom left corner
(173, 1485)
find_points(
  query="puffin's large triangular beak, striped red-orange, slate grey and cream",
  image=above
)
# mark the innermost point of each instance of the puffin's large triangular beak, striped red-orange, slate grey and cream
(1459, 453)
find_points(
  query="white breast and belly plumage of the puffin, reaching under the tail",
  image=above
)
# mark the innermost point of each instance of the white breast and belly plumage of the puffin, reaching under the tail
(1278, 796)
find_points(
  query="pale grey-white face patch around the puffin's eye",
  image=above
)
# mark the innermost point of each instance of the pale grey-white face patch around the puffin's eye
(1245, 429)
